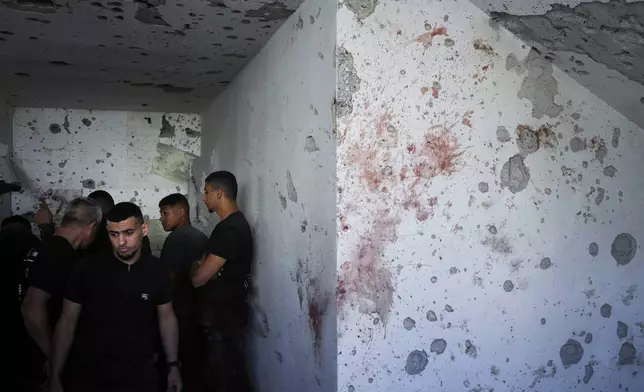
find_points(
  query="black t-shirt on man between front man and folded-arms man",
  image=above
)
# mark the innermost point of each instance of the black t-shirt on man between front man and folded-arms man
(181, 249)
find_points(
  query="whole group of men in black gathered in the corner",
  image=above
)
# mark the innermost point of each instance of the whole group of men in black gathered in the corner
(98, 312)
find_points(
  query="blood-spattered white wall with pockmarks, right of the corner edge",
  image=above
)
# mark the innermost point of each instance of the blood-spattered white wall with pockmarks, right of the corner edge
(480, 192)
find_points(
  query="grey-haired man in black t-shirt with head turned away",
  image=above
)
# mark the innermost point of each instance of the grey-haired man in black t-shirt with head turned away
(47, 267)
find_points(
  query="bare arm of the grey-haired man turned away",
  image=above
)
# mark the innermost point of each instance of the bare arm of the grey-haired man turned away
(36, 318)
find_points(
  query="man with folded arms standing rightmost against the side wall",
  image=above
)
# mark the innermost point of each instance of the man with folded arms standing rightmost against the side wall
(224, 276)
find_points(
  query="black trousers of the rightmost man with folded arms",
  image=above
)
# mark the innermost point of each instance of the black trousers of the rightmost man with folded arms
(226, 362)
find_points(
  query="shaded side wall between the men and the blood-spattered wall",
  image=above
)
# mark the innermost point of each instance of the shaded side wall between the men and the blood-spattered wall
(273, 128)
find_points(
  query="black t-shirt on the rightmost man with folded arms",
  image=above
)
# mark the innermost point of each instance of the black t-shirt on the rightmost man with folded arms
(224, 296)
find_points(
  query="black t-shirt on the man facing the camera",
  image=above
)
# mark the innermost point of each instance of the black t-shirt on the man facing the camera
(114, 336)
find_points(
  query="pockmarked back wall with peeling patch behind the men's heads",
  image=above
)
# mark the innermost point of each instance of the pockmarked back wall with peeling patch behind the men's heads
(136, 156)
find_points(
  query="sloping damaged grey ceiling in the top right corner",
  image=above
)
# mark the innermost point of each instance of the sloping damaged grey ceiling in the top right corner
(600, 44)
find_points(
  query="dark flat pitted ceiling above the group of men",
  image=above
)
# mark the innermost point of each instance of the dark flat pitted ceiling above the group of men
(151, 55)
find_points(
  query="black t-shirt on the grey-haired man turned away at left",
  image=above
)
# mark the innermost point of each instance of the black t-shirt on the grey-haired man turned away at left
(47, 267)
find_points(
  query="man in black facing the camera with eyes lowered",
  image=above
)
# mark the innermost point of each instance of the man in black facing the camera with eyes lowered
(116, 296)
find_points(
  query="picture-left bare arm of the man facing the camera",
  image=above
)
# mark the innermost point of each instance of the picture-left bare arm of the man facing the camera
(63, 338)
